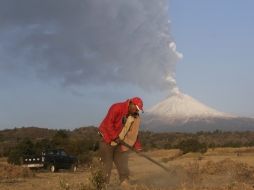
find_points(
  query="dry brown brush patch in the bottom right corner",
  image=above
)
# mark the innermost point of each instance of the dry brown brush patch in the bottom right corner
(209, 175)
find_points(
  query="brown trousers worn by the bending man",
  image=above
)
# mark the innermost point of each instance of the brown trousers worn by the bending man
(110, 154)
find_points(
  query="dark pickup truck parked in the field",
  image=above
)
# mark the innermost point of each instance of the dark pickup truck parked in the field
(52, 160)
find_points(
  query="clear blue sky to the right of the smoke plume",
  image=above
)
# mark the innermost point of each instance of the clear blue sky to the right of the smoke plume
(217, 40)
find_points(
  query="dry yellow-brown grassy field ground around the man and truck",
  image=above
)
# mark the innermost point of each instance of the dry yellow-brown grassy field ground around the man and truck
(218, 169)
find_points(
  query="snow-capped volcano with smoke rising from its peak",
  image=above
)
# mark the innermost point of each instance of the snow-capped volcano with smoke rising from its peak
(181, 113)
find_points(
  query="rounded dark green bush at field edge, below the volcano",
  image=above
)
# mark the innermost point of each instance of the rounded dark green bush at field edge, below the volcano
(192, 145)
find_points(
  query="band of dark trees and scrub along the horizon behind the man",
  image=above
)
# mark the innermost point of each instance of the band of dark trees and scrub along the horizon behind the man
(83, 142)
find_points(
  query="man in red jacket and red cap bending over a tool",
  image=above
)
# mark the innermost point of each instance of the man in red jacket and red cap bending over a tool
(110, 129)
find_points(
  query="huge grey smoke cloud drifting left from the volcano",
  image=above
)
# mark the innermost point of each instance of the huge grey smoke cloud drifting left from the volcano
(80, 42)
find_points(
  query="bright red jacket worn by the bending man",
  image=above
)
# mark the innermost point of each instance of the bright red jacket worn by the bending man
(112, 125)
